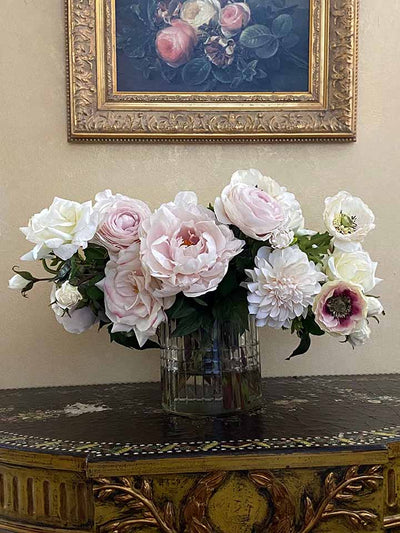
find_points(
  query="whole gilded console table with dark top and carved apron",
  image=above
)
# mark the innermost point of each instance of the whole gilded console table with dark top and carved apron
(323, 455)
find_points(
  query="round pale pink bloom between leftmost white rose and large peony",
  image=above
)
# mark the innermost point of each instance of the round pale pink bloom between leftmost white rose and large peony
(119, 220)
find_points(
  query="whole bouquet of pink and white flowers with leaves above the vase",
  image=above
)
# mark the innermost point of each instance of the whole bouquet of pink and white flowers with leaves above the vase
(128, 269)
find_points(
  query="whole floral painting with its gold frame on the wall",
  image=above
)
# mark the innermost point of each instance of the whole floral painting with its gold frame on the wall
(233, 70)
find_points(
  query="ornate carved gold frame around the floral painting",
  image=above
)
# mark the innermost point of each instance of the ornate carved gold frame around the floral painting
(98, 112)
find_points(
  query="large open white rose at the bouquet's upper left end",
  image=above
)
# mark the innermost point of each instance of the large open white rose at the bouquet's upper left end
(62, 228)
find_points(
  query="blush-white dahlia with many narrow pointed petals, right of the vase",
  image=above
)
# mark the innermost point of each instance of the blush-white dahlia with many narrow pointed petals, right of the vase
(282, 287)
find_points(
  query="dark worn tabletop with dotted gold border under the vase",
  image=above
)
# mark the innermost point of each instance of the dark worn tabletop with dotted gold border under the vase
(126, 420)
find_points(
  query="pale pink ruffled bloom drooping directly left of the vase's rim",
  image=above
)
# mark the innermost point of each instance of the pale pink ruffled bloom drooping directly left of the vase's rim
(129, 296)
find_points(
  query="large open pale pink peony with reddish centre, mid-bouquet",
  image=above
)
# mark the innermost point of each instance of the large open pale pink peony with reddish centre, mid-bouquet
(184, 247)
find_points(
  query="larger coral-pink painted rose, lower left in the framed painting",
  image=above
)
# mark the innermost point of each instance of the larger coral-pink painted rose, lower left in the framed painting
(175, 43)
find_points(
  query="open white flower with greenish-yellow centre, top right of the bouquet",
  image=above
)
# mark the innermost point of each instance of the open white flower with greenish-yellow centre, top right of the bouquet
(348, 219)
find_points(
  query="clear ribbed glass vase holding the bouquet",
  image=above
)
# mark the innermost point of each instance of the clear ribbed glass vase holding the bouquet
(217, 374)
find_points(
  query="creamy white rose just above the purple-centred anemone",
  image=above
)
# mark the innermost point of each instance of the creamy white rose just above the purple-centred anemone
(354, 267)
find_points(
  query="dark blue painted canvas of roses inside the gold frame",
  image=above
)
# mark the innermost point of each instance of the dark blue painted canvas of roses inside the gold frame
(214, 45)
